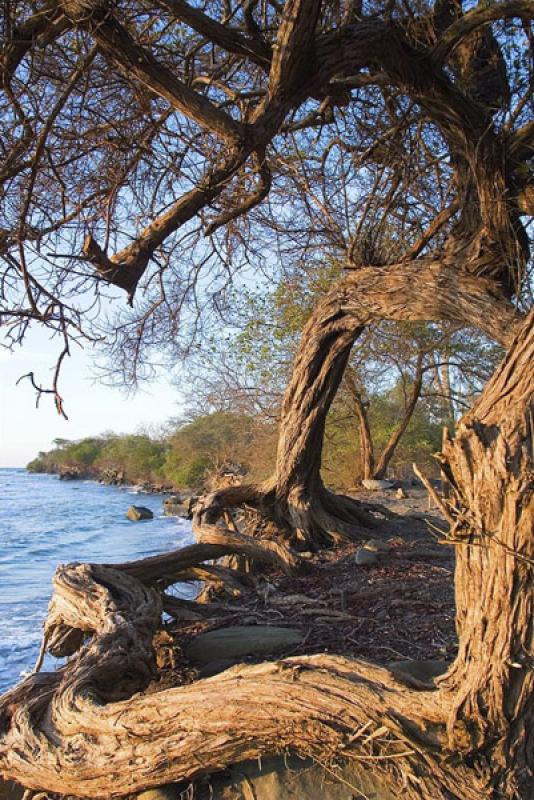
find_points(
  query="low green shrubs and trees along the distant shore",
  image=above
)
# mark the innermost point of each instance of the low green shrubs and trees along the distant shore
(190, 452)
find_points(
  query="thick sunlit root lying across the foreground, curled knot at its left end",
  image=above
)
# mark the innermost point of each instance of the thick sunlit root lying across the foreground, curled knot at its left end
(74, 732)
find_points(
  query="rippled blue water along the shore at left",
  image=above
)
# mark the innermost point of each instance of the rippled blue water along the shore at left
(45, 522)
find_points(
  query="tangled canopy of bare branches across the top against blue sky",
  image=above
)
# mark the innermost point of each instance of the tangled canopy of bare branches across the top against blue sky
(165, 148)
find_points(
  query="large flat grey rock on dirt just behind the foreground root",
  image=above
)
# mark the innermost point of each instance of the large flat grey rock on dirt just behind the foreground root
(238, 641)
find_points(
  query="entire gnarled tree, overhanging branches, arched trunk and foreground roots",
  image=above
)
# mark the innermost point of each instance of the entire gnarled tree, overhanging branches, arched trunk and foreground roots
(111, 110)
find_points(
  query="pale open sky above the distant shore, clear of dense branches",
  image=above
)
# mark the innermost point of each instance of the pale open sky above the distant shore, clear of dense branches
(91, 406)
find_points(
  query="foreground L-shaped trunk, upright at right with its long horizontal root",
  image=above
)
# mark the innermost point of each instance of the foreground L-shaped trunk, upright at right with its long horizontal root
(87, 730)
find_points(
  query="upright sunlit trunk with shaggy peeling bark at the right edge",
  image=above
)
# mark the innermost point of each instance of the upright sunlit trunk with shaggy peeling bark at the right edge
(490, 464)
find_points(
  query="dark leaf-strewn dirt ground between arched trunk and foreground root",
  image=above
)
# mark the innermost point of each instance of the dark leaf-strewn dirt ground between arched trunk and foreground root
(399, 608)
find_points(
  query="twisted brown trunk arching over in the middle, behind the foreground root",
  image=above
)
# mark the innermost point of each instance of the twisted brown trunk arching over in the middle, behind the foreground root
(423, 290)
